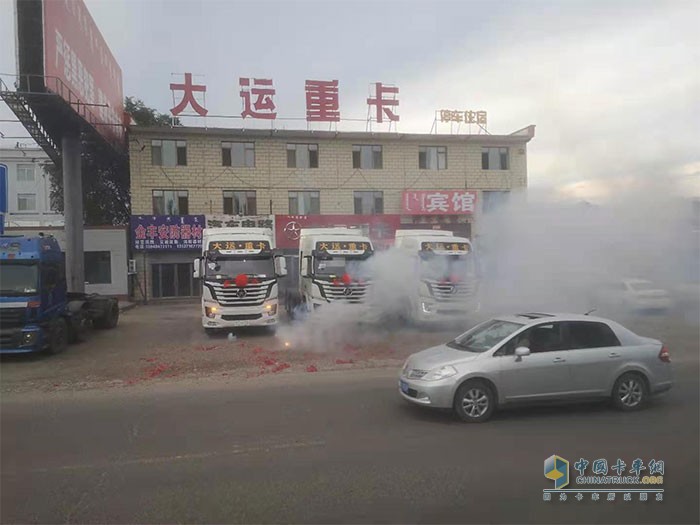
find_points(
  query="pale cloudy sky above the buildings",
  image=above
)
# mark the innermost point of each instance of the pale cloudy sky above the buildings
(612, 86)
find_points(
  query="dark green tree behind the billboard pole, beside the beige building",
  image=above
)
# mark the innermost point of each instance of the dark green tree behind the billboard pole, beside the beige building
(106, 182)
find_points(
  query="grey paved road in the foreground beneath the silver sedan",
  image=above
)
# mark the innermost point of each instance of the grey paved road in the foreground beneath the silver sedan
(332, 447)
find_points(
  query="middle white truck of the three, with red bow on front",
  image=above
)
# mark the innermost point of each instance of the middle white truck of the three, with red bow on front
(332, 268)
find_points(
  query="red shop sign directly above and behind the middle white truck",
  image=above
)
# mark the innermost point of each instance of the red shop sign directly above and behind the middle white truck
(379, 228)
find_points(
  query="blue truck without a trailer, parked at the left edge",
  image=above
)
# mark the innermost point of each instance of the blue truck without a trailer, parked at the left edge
(37, 313)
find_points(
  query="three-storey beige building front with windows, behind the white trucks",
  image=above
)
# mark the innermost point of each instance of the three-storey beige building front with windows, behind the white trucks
(293, 177)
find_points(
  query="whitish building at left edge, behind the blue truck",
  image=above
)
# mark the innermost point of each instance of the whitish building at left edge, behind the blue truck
(28, 188)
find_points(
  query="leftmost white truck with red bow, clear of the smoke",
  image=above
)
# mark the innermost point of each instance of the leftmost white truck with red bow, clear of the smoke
(239, 272)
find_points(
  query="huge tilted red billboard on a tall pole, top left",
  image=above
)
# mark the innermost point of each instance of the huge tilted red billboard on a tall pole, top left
(79, 67)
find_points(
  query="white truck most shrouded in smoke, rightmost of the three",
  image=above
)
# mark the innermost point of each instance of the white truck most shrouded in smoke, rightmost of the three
(446, 285)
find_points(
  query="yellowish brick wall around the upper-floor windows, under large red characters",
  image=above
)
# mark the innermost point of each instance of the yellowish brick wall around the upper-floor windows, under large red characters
(205, 178)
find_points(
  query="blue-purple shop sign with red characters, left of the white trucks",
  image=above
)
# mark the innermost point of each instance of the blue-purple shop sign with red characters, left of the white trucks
(167, 232)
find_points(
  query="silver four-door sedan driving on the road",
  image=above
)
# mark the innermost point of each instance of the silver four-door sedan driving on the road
(537, 357)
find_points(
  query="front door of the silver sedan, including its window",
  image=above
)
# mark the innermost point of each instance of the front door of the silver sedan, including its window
(544, 373)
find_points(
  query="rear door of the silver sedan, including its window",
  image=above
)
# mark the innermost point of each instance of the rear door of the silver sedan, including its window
(594, 353)
